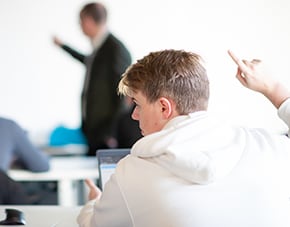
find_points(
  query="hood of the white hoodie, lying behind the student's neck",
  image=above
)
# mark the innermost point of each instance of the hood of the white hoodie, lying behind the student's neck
(195, 147)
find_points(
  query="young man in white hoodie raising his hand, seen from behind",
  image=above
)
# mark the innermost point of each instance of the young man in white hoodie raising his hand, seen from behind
(191, 168)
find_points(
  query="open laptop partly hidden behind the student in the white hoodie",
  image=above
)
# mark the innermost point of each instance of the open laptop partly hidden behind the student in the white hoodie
(107, 162)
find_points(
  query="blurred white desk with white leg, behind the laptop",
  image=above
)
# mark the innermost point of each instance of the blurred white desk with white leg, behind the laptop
(66, 171)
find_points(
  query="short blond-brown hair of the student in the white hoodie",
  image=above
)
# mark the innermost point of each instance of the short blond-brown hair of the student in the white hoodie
(174, 74)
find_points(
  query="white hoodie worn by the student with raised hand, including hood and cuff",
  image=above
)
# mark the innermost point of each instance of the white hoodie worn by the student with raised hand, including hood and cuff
(197, 171)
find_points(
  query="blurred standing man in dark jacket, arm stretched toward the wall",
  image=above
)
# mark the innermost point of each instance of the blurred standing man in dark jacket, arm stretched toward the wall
(100, 103)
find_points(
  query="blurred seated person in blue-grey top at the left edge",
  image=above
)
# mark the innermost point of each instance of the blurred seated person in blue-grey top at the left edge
(17, 150)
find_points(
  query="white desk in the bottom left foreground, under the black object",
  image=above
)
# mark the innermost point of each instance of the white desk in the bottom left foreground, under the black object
(45, 216)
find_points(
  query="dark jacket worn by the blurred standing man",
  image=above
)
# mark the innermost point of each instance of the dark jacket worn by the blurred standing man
(101, 104)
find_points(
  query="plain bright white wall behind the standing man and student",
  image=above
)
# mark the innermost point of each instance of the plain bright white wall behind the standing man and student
(40, 85)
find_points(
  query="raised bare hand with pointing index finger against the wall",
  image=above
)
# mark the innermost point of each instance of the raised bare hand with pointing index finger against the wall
(251, 75)
